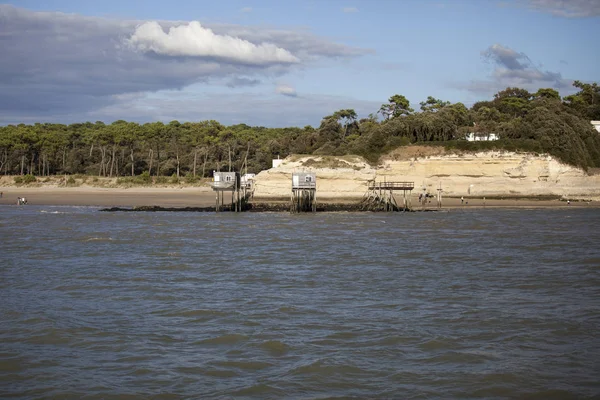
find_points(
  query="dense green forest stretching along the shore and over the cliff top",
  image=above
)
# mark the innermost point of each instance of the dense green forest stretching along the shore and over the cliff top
(540, 122)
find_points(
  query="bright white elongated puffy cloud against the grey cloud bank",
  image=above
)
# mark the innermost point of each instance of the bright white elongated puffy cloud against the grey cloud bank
(194, 40)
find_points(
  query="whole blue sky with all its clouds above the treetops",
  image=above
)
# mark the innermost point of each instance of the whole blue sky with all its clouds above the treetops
(281, 63)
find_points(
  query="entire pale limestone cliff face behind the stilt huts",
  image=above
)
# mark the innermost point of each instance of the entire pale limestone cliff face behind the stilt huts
(476, 174)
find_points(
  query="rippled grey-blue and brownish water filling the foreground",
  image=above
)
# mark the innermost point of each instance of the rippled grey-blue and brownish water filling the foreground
(460, 304)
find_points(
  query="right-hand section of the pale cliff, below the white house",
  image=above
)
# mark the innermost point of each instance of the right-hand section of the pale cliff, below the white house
(494, 173)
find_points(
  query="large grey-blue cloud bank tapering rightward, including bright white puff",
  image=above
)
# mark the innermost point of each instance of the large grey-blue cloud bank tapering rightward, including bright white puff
(66, 67)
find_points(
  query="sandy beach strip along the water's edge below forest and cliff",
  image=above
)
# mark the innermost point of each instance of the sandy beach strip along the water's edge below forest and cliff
(203, 197)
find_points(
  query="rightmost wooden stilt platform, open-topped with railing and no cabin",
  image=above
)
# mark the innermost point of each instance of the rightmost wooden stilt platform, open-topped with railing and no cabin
(380, 196)
